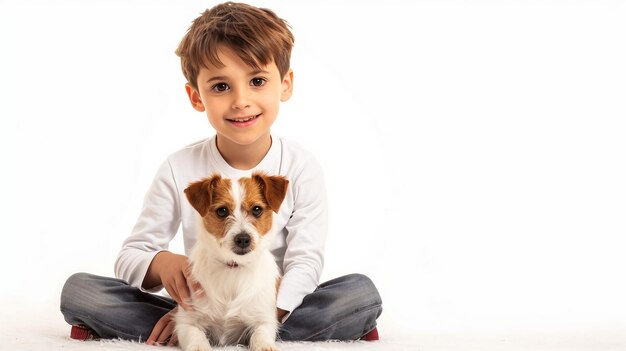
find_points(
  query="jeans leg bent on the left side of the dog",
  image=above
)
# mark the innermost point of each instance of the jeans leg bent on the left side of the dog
(111, 307)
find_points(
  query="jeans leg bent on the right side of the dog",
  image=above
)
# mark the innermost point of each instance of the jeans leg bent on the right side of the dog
(345, 308)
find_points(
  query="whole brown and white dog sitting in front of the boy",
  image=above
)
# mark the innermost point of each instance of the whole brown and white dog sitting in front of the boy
(232, 263)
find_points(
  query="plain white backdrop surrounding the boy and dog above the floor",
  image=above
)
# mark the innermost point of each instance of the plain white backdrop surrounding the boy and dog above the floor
(474, 151)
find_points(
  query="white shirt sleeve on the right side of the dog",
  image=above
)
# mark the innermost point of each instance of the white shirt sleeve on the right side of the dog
(306, 238)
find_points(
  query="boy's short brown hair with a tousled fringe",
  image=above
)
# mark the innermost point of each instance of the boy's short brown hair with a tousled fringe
(255, 34)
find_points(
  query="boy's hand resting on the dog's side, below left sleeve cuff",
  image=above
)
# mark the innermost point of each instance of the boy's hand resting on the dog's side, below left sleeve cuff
(173, 272)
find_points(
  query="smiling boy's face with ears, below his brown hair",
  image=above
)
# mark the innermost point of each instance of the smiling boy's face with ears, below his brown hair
(240, 102)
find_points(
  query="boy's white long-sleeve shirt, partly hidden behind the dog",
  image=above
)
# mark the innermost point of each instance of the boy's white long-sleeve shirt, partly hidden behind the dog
(302, 219)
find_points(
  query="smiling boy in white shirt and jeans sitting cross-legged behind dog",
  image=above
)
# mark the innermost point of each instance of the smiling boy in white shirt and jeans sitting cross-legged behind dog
(236, 61)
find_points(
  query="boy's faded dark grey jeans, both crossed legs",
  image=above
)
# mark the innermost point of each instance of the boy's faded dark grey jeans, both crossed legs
(345, 308)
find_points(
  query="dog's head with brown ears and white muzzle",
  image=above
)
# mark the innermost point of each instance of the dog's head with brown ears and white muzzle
(238, 214)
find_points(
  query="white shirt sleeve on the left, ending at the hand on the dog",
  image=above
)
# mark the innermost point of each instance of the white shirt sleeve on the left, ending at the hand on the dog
(157, 224)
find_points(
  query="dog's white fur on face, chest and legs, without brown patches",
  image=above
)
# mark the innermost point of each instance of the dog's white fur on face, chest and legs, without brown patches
(238, 302)
